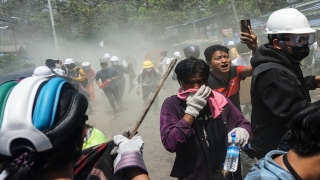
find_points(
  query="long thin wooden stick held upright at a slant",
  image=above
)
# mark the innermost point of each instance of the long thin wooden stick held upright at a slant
(153, 97)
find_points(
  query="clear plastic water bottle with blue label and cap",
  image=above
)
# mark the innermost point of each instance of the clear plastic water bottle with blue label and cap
(232, 157)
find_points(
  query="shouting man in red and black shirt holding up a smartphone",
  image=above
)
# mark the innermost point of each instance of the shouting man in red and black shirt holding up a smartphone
(225, 78)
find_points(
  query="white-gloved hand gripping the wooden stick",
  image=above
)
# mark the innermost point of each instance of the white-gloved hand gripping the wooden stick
(131, 149)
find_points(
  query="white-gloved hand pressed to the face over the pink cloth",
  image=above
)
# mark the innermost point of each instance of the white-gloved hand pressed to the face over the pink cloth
(196, 102)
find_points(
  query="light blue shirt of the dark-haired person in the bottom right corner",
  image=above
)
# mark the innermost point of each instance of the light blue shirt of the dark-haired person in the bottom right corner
(267, 169)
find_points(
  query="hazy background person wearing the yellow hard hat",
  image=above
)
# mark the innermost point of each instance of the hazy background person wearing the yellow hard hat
(148, 79)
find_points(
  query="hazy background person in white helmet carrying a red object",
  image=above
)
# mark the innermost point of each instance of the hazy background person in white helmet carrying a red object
(111, 89)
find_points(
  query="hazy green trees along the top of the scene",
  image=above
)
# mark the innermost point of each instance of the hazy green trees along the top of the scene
(85, 20)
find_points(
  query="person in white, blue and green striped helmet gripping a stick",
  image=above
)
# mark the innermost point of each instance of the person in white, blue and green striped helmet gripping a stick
(41, 136)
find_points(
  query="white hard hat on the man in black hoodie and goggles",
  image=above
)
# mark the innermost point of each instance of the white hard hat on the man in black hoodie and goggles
(288, 21)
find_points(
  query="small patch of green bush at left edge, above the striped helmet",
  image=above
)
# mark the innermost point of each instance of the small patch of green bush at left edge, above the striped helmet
(9, 63)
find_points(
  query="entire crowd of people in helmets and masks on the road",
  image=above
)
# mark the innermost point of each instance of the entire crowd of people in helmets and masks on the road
(44, 135)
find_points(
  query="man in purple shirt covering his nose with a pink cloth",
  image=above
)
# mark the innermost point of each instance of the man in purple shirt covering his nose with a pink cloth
(197, 123)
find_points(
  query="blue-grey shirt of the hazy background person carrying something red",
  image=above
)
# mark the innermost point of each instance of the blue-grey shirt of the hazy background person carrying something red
(105, 74)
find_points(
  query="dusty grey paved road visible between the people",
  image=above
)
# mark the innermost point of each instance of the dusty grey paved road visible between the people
(158, 161)
